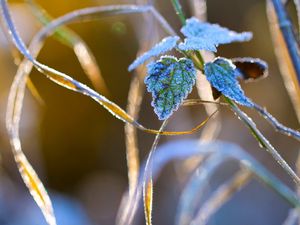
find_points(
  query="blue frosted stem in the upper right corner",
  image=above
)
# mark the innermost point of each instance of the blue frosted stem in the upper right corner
(288, 34)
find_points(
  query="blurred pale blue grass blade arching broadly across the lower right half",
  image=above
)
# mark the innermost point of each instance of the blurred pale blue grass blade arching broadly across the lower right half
(184, 149)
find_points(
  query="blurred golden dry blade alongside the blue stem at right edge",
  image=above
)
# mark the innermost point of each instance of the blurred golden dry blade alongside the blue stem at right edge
(284, 61)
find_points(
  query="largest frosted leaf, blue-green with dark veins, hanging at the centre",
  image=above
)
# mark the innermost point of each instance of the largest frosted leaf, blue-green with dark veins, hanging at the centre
(170, 81)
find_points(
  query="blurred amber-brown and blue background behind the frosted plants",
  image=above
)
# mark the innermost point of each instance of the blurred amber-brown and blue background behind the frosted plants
(78, 148)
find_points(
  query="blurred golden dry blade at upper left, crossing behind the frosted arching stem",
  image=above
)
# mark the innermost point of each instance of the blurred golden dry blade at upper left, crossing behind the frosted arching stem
(81, 50)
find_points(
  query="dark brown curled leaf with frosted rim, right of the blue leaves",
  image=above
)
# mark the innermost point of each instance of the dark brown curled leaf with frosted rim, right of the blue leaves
(251, 69)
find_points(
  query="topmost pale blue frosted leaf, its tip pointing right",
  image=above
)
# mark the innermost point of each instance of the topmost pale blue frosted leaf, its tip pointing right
(206, 36)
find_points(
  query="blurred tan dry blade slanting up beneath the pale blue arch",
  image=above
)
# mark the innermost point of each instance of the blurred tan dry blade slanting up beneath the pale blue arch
(221, 196)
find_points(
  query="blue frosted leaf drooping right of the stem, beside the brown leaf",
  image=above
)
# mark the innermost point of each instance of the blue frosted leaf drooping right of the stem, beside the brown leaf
(222, 75)
